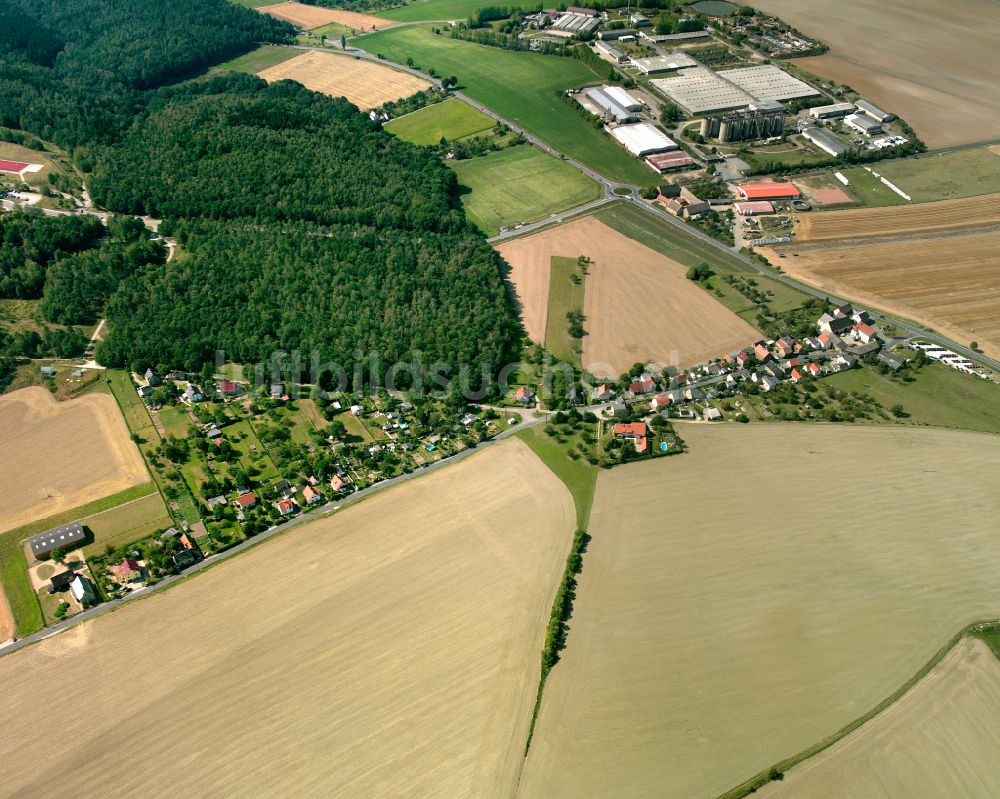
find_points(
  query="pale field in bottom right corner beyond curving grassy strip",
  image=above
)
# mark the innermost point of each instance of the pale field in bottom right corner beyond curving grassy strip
(939, 740)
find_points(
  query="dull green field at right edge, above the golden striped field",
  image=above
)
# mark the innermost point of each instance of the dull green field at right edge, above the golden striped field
(964, 173)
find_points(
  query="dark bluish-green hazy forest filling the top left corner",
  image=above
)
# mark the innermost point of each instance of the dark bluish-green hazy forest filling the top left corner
(76, 71)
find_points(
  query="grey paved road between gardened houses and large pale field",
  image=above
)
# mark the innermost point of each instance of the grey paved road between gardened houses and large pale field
(273, 531)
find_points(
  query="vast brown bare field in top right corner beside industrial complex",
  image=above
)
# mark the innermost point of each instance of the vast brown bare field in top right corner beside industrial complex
(933, 64)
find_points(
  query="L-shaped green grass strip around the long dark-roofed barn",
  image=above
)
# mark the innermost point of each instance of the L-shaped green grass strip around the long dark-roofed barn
(14, 567)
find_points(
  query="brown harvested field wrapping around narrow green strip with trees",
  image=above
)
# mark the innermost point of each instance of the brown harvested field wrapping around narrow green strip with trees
(638, 304)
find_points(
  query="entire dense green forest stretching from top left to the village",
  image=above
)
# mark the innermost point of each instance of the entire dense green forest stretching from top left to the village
(304, 225)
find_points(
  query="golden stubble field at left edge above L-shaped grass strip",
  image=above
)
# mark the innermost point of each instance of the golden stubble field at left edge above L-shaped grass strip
(59, 455)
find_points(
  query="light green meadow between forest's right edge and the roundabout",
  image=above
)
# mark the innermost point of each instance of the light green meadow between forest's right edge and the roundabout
(520, 184)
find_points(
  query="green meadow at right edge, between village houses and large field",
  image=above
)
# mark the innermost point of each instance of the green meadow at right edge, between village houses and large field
(940, 396)
